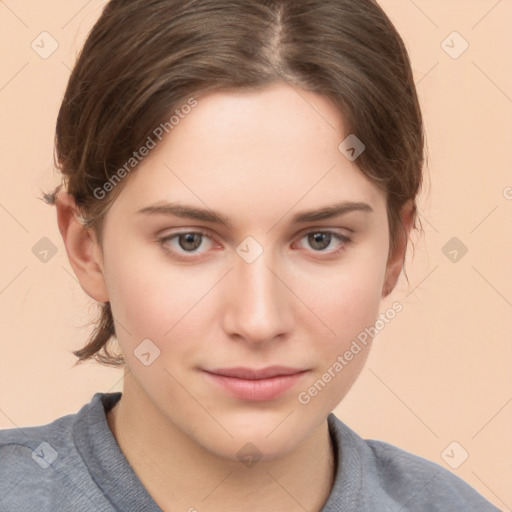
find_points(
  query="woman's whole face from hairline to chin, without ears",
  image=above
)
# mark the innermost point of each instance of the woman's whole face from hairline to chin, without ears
(239, 300)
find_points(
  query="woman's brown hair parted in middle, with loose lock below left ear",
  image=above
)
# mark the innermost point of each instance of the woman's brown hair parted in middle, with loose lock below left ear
(145, 58)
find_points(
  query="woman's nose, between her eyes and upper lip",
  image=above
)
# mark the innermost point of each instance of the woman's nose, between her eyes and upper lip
(259, 306)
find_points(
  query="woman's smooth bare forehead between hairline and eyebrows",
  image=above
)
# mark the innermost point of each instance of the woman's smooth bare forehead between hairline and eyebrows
(252, 151)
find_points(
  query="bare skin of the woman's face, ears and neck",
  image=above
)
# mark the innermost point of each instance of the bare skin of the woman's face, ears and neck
(257, 158)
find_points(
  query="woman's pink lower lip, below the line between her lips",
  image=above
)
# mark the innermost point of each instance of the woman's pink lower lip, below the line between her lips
(257, 390)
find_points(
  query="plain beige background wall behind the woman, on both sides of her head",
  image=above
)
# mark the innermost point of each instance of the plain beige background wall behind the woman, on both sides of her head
(440, 372)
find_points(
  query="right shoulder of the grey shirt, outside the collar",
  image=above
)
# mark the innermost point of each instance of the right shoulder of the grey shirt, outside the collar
(394, 476)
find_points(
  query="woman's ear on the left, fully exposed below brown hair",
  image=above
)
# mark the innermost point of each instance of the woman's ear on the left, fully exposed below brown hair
(82, 248)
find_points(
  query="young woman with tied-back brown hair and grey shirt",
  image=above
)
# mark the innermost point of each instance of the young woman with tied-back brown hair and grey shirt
(240, 183)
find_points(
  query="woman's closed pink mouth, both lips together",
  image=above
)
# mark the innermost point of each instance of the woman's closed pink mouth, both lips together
(256, 385)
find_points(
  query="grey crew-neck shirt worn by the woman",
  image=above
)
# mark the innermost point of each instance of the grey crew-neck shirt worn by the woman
(75, 464)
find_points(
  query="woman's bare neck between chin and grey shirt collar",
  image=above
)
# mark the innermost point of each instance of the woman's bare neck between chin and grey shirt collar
(180, 474)
